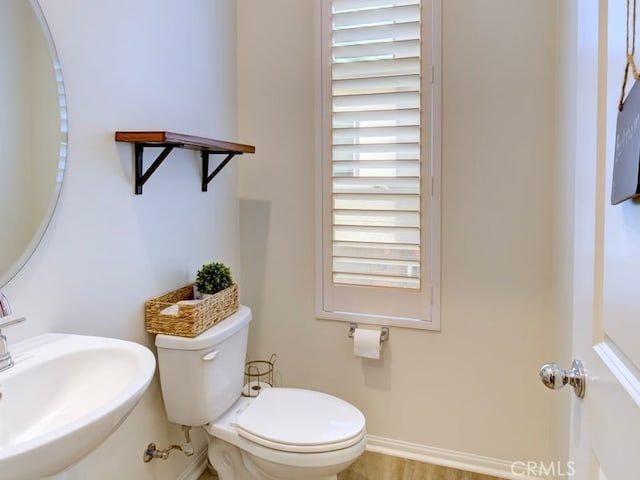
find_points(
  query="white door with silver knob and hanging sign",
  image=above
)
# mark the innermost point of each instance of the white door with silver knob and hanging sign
(605, 424)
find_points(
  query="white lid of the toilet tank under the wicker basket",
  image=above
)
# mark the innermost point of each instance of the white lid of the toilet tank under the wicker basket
(210, 337)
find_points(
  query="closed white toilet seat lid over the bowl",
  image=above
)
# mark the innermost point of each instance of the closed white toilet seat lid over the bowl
(297, 420)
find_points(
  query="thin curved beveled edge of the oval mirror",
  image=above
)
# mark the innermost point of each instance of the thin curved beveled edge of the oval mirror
(30, 249)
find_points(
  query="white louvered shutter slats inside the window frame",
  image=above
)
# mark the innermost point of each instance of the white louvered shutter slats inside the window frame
(375, 137)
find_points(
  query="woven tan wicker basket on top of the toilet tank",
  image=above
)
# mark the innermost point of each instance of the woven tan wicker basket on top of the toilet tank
(190, 320)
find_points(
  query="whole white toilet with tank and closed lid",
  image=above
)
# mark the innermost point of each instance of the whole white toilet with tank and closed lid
(281, 434)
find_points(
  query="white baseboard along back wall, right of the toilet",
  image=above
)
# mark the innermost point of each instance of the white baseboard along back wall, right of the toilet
(446, 458)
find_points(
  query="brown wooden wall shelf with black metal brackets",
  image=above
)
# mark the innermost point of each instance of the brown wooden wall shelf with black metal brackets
(170, 140)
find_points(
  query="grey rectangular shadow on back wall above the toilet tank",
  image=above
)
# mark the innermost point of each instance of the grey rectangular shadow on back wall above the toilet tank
(255, 216)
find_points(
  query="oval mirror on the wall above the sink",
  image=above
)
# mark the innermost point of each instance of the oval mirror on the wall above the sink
(33, 132)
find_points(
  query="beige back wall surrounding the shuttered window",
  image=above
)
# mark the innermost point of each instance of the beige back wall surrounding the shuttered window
(473, 387)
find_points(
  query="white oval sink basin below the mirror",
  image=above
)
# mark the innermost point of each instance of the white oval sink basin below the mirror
(63, 397)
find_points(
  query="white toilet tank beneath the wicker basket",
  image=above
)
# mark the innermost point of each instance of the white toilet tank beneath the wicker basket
(201, 377)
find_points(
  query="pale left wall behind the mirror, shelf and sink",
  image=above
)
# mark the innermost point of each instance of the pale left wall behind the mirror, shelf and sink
(134, 65)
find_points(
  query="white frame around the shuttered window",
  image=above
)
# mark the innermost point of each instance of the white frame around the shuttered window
(430, 182)
